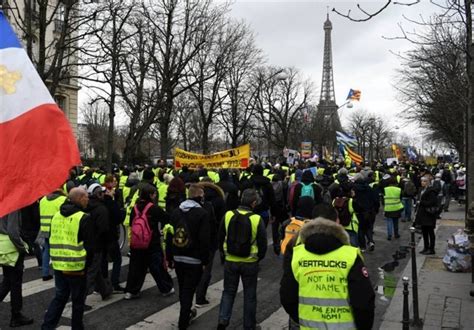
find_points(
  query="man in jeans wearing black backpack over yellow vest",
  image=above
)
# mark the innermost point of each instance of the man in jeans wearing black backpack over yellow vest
(242, 240)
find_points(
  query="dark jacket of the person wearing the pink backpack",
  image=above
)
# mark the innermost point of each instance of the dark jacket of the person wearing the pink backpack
(155, 216)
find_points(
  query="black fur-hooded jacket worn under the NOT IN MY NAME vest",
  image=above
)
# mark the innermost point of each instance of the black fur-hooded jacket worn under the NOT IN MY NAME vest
(321, 237)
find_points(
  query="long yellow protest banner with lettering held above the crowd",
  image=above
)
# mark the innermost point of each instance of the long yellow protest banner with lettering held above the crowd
(231, 158)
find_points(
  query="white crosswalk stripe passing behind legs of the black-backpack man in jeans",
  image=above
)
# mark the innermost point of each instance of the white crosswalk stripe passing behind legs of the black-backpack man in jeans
(167, 318)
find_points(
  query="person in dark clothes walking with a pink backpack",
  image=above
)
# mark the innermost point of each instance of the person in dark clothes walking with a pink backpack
(151, 257)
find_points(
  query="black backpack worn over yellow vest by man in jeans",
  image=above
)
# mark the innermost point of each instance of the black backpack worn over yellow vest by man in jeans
(239, 234)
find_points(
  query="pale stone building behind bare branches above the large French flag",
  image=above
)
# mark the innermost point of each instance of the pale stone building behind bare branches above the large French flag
(67, 91)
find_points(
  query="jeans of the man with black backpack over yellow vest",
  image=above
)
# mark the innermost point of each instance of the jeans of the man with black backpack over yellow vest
(233, 271)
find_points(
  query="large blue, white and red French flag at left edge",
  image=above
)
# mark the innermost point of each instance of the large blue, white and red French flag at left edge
(37, 145)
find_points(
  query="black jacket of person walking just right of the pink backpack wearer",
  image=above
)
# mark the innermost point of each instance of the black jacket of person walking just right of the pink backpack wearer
(197, 221)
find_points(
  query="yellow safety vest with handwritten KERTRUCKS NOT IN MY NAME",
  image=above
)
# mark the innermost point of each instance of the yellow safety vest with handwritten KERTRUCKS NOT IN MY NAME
(323, 287)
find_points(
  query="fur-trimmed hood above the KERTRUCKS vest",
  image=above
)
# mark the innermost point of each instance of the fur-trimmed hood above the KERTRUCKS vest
(321, 236)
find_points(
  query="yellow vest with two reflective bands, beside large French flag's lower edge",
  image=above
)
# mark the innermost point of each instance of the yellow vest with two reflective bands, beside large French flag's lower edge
(67, 253)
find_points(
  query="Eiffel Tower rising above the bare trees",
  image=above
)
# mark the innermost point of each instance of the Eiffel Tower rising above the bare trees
(327, 117)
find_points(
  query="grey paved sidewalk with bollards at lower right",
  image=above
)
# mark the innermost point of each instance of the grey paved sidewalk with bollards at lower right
(444, 301)
